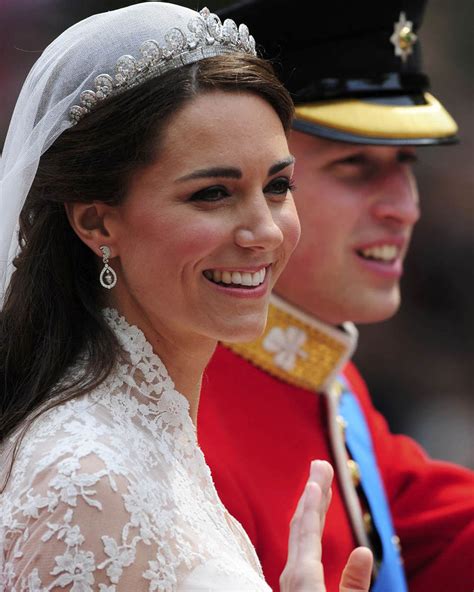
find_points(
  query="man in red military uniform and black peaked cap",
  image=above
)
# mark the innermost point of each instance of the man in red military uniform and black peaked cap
(270, 407)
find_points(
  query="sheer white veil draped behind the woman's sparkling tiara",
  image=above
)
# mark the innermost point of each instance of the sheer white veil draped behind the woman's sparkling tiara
(68, 66)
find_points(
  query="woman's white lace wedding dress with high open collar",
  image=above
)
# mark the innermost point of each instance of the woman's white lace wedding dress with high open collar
(110, 492)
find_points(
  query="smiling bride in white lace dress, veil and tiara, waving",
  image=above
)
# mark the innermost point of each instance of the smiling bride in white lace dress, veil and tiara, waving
(146, 214)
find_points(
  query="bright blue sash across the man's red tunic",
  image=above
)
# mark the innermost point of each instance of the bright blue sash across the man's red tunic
(391, 575)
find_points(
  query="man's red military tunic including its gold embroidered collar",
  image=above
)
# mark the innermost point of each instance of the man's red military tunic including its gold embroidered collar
(259, 433)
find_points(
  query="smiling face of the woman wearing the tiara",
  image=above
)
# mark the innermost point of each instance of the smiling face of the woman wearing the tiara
(204, 232)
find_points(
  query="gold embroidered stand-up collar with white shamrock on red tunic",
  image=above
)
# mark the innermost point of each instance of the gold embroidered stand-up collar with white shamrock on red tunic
(298, 348)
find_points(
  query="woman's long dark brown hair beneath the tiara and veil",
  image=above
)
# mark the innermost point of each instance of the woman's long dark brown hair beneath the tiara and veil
(52, 310)
